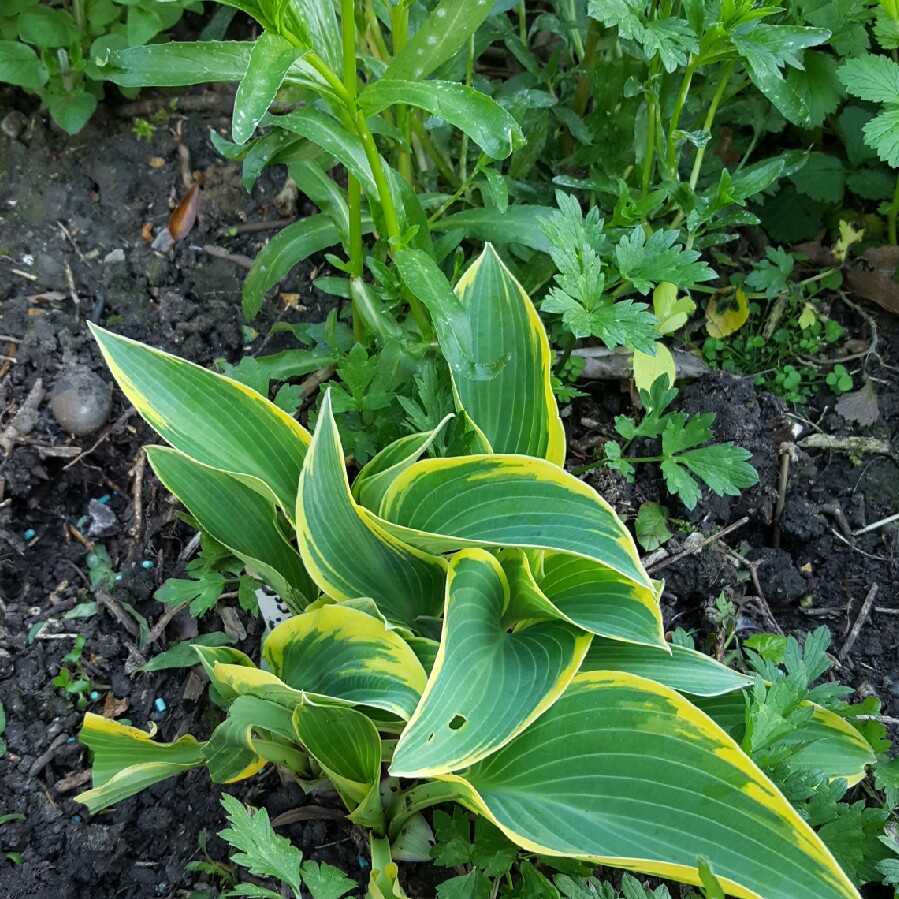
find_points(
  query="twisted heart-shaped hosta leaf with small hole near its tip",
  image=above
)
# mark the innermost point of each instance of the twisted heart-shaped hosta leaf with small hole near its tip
(487, 684)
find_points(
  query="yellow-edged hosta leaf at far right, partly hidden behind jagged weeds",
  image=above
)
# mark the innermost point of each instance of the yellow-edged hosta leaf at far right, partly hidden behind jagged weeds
(834, 747)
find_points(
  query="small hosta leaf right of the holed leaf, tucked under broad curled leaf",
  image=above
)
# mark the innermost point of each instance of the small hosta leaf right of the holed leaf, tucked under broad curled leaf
(601, 600)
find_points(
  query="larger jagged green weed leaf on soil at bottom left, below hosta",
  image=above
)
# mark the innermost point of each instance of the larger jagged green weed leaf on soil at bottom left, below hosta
(261, 850)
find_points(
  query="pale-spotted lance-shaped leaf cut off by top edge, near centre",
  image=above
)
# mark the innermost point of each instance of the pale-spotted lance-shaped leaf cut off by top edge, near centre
(445, 31)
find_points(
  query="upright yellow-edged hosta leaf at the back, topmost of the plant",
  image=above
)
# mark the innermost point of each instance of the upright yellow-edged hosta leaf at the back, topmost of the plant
(516, 410)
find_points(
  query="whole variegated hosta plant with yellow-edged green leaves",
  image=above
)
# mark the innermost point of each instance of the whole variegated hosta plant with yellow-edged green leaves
(473, 628)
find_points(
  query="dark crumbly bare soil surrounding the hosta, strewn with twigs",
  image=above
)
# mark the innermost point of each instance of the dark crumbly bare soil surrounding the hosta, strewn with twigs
(74, 216)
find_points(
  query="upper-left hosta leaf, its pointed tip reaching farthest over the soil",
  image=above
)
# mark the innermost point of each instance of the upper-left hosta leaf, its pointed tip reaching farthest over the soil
(210, 418)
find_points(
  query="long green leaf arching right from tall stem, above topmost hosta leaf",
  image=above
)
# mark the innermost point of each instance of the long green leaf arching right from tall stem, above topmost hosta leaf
(473, 113)
